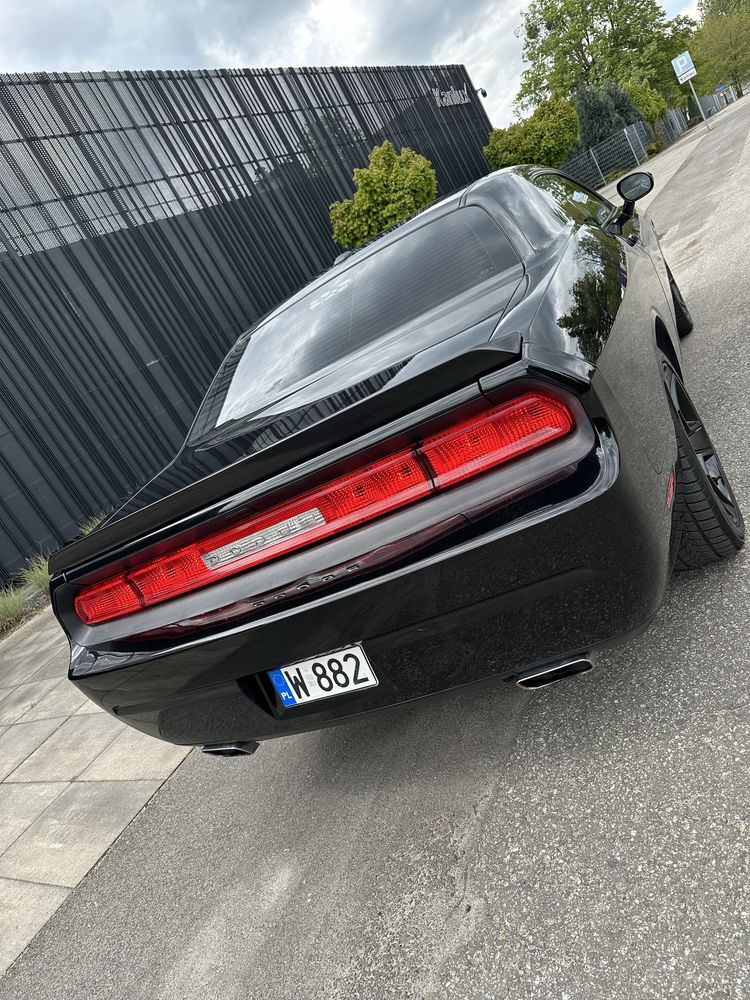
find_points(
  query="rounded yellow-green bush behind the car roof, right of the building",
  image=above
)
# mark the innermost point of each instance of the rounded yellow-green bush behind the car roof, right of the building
(545, 137)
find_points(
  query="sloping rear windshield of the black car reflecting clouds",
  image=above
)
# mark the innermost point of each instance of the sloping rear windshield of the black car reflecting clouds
(425, 268)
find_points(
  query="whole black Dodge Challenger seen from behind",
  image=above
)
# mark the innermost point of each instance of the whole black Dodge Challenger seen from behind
(466, 451)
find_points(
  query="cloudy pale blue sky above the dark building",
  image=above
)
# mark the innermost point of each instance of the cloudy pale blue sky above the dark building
(76, 35)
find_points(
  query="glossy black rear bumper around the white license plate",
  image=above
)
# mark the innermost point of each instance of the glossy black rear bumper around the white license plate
(496, 598)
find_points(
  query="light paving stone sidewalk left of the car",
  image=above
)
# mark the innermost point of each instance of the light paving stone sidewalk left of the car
(71, 779)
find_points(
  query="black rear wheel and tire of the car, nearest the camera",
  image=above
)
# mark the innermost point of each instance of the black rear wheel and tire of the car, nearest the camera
(706, 520)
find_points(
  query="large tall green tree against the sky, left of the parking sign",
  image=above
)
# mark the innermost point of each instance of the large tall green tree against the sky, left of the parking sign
(569, 44)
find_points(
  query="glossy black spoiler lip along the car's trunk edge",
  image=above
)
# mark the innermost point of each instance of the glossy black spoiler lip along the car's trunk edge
(382, 407)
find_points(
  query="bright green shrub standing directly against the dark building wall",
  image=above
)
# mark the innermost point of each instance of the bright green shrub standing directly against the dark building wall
(393, 187)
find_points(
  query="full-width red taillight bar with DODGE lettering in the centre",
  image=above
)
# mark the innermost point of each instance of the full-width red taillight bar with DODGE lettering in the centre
(472, 447)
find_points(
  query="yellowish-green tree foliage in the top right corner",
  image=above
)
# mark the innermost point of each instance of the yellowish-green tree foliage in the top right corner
(723, 43)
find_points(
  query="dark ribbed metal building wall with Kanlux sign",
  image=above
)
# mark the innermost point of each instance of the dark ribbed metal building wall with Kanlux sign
(146, 219)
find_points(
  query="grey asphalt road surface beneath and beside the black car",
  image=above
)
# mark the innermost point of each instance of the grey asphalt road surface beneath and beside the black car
(586, 842)
